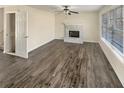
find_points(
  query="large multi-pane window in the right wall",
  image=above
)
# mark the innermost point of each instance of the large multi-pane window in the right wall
(112, 27)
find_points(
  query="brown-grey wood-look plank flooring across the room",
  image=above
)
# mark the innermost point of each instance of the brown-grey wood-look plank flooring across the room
(58, 64)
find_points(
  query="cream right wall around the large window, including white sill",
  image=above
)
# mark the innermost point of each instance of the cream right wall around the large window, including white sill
(114, 56)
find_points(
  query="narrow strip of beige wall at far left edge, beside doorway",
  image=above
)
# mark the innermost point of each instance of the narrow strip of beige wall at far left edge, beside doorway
(1, 27)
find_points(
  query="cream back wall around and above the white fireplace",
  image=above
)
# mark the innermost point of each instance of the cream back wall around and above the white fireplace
(89, 21)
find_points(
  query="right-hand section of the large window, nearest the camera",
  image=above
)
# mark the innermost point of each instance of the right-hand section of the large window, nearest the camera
(117, 34)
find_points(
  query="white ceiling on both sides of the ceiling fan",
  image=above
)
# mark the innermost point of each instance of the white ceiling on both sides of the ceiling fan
(79, 8)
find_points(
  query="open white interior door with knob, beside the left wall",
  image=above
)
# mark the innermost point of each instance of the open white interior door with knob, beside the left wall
(21, 34)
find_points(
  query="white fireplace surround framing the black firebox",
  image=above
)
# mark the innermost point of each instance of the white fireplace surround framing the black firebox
(68, 28)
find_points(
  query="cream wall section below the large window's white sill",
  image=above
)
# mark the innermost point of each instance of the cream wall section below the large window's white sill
(115, 61)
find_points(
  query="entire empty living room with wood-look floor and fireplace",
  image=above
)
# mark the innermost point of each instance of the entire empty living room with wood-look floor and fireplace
(61, 46)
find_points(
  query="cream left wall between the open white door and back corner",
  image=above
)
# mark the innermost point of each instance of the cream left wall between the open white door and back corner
(41, 26)
